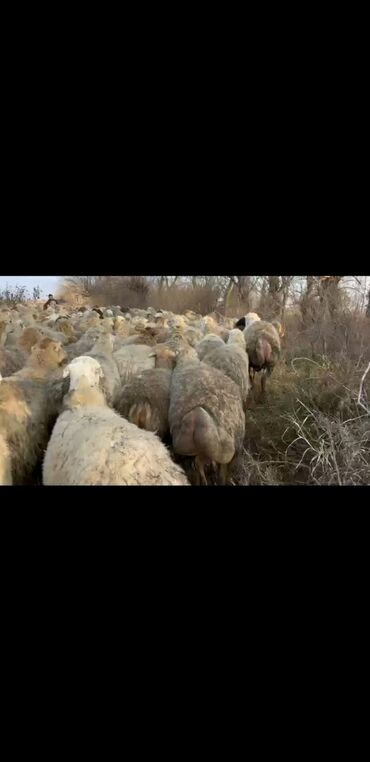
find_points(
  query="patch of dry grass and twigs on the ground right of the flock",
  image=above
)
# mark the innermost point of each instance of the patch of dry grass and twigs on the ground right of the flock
(310, 430)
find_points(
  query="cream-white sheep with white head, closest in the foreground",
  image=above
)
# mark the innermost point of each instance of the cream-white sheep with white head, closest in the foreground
(91, 444)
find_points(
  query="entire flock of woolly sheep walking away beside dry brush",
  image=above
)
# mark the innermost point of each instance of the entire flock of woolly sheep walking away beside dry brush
(125, 397)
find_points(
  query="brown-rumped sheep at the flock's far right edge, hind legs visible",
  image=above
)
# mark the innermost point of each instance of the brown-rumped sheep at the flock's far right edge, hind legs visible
(263, 347)
